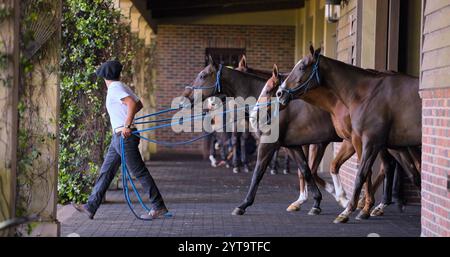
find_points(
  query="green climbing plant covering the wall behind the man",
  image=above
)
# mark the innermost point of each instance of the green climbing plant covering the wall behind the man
(91, 34)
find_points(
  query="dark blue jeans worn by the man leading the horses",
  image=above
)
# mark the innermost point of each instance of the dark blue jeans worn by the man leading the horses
(135, 166)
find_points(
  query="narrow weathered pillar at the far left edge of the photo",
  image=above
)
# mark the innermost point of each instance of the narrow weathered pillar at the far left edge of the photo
(9, 84)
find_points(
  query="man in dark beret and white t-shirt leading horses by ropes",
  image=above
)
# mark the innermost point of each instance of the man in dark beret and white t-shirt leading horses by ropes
(122, 105)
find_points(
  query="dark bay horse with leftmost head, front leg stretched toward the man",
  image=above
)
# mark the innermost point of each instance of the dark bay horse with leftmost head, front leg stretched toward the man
(301, 124)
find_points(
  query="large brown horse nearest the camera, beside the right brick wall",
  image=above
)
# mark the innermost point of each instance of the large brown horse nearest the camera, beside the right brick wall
(373, 101)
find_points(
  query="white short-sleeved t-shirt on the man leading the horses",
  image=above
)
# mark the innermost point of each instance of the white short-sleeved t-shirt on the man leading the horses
(116, 109)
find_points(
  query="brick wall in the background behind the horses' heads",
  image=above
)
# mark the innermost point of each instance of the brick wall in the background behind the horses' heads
(181, 53)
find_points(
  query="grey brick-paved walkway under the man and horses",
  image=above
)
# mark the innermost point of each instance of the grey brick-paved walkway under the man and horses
(202, 198)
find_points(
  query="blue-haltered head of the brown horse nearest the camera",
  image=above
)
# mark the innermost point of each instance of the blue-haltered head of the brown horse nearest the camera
(303, 77)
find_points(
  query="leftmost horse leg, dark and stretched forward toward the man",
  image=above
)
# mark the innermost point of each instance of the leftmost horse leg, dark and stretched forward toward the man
(265, 153)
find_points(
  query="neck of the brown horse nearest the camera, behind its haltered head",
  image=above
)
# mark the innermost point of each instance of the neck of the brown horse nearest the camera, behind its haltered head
(347, 82)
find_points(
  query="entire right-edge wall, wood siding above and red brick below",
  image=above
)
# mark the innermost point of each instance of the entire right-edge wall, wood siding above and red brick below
(435, 93)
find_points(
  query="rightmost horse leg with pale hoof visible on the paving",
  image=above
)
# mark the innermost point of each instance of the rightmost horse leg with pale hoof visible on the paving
(387, 171)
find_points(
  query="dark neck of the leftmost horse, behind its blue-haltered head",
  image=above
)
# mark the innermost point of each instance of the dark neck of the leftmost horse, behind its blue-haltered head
(239, 84)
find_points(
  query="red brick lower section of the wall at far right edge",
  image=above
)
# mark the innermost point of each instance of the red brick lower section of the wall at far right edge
(436, 162)
